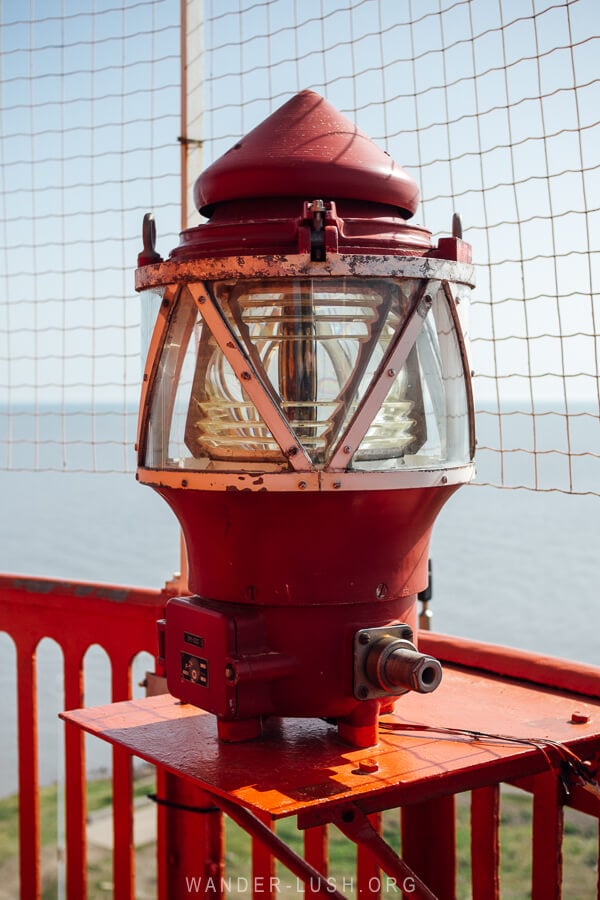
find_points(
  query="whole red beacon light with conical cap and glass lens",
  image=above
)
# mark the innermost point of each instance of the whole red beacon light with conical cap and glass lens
(306, 412)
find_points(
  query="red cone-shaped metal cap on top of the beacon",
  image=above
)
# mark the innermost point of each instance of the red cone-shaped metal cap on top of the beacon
(306, 149)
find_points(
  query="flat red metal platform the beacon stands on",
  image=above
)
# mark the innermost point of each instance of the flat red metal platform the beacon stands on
(303, 769)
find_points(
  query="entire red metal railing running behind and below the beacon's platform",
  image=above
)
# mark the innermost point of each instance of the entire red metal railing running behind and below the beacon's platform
(122, 621)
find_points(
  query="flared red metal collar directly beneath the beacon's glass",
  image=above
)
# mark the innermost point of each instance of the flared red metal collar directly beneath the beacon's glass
(368, 538)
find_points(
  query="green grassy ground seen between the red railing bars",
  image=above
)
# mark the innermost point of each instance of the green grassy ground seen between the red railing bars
(580, 846)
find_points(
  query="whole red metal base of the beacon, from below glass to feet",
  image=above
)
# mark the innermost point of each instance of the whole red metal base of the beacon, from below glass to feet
(296, 599)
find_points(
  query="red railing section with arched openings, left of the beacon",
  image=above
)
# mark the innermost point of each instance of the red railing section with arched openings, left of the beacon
(75, 615)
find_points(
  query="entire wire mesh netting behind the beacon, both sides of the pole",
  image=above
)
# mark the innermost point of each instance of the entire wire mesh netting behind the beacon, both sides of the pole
(491, 106)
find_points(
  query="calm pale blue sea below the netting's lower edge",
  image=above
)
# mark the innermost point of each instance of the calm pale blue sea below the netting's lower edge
(518, 568)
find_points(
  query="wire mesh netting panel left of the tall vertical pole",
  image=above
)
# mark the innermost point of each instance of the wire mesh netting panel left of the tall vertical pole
(90, 117)
